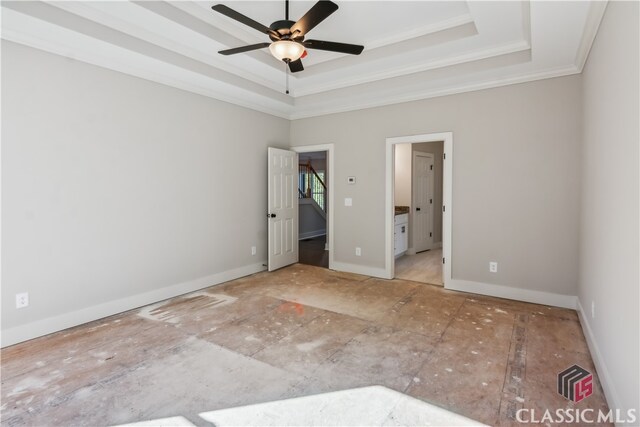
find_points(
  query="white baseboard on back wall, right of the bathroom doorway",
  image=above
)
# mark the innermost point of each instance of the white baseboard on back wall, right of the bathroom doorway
(526, 295)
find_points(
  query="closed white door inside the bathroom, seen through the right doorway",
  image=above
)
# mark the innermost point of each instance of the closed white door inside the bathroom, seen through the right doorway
(422, 199)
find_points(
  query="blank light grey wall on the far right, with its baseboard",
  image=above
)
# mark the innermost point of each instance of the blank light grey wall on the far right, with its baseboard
(609, 253)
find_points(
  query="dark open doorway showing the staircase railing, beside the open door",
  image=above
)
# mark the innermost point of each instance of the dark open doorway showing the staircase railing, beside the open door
(313, 198)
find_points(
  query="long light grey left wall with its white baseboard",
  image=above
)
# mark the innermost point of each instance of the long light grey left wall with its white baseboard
(117, 191)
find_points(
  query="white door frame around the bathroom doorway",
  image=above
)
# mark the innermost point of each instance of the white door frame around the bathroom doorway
(447, 196)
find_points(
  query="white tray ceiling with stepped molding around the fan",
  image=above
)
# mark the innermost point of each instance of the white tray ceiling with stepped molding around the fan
(413, 49)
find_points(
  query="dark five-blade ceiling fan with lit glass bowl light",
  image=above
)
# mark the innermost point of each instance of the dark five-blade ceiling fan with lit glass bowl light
(287, 37)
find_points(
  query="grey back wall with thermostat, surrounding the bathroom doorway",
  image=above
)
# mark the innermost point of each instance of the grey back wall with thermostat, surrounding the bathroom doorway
(513, 202)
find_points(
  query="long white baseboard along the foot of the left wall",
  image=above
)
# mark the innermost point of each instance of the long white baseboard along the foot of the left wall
(67, 320)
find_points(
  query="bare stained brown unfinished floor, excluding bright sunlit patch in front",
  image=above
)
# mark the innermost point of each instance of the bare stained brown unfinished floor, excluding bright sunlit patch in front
(298, 331)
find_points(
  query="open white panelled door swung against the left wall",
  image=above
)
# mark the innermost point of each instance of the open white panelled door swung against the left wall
(282, 208)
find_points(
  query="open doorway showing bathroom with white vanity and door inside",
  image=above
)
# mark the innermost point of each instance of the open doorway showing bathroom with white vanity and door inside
(418, 203)
